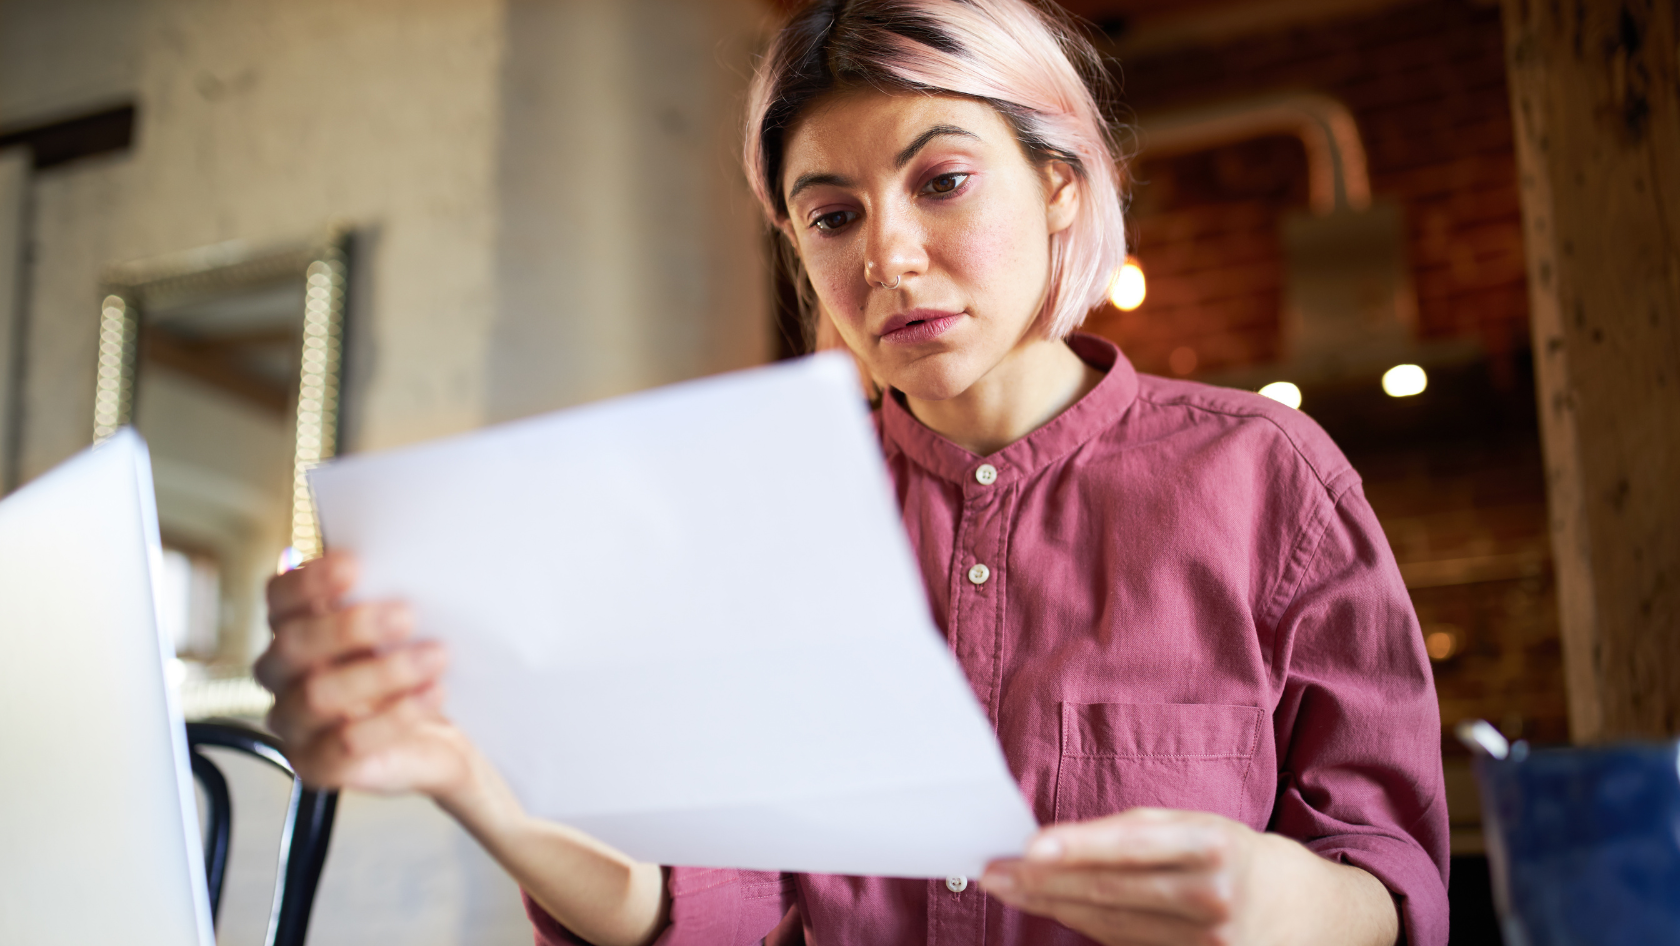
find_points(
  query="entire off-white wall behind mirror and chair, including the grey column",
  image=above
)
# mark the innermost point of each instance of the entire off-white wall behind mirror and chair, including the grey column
(547, 211)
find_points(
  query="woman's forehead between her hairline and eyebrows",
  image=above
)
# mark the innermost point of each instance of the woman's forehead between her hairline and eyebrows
(856, 130)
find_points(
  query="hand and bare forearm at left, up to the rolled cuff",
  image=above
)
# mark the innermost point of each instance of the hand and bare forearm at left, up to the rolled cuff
(357, 705)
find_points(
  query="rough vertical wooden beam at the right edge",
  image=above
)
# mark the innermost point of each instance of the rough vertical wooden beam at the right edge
(1593, 90)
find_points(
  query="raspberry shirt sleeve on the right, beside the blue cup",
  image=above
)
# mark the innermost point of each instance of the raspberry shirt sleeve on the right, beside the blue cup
(1358, 728)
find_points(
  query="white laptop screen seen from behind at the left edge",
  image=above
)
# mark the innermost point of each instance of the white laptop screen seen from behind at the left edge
(98, 816)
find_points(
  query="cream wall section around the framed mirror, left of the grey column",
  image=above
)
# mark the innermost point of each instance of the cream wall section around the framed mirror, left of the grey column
(265, 122)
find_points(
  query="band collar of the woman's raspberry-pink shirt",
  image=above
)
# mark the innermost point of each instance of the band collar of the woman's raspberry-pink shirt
(1088, 418)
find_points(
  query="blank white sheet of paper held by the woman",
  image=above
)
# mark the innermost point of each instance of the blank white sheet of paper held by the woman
(688, 623)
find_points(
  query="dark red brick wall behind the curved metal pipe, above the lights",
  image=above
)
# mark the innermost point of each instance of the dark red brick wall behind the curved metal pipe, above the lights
(1427, 88)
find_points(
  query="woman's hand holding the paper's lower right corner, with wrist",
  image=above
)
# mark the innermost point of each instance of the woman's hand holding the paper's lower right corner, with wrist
(1162, 878)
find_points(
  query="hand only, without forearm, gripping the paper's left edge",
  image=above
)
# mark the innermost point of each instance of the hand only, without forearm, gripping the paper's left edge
(355, 698)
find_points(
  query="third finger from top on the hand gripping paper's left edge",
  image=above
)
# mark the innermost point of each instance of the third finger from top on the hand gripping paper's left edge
(349, 691)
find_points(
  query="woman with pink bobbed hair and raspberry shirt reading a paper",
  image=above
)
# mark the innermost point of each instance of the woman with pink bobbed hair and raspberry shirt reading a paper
(1173, 601)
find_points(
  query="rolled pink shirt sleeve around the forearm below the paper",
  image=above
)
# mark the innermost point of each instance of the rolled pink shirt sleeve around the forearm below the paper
(708, 908)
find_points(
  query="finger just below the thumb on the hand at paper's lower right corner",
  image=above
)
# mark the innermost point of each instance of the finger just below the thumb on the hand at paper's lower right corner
(1199, 896)
